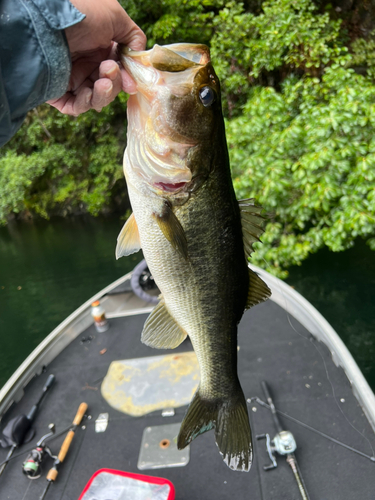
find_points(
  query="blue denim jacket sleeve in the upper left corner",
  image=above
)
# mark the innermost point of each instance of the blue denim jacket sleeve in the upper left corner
(35, 63)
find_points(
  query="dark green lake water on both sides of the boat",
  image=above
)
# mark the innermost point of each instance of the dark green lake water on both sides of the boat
(49, 268)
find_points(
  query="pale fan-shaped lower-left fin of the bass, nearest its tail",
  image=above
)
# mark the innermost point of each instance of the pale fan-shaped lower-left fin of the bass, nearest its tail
(161, 330)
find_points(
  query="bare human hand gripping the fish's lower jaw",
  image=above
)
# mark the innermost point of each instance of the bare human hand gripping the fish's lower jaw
(96, 78)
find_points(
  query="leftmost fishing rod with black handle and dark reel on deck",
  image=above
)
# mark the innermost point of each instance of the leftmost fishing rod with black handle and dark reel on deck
(19, 429)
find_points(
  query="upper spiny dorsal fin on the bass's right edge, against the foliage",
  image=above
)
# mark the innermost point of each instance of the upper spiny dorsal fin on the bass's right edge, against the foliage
(252, 224)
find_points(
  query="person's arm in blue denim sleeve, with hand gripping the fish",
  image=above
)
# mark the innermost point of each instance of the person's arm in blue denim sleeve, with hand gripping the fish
(46, 54)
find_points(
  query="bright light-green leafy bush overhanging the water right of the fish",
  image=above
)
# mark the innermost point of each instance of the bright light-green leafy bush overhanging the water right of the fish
(308, 155)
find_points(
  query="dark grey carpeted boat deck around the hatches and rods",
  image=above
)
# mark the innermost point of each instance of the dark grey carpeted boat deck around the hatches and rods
(305, 384)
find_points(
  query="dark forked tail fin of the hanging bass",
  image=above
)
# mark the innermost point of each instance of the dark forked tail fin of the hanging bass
(232, 428)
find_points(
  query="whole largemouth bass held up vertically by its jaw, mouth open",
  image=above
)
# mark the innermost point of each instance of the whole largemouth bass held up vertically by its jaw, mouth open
(194, 234)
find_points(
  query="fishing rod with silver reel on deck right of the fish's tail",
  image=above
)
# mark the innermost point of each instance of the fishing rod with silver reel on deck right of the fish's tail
(284, 444)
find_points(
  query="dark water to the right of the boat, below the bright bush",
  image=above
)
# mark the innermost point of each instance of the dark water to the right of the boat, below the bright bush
(342, 287)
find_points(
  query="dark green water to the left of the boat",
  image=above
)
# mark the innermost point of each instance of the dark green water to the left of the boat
(47, 270)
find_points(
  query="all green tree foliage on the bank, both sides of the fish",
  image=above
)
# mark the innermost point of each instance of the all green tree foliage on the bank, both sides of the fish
(299, 99)
